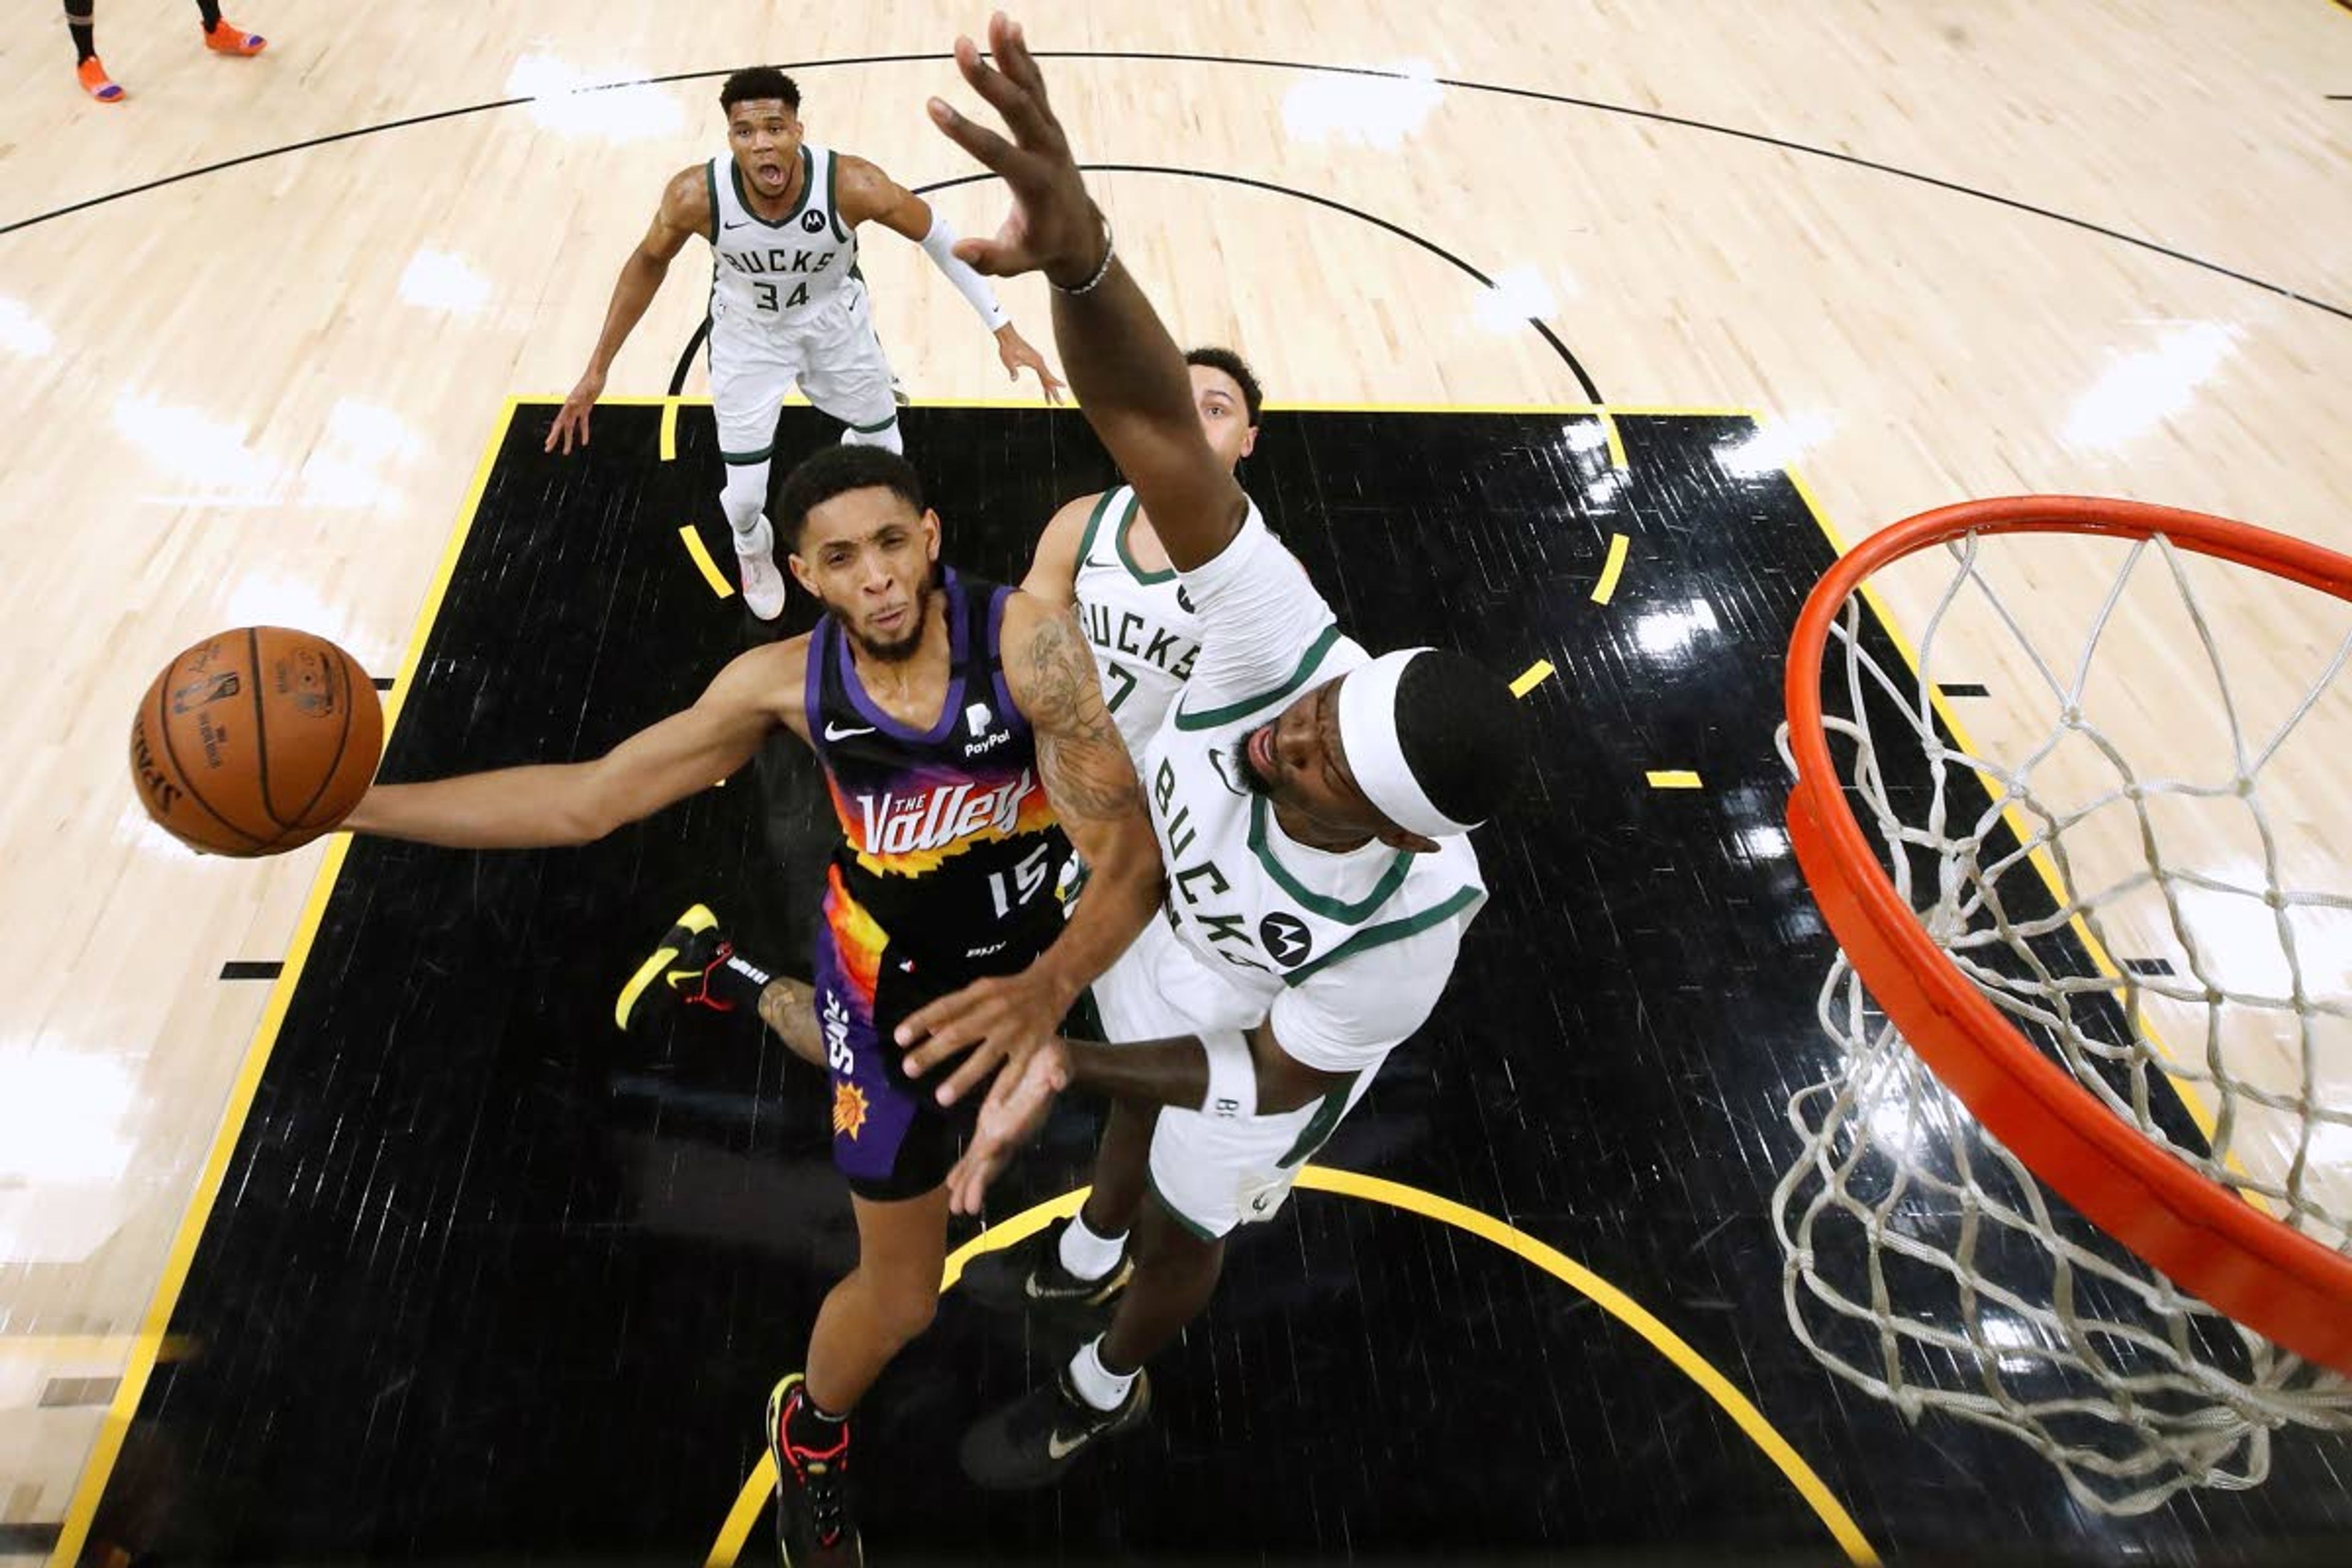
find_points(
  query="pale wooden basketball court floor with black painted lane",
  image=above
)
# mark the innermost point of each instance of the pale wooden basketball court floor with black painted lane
(1591, 335)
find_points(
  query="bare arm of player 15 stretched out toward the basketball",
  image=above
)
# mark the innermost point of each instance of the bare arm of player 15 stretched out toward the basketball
(577, 803)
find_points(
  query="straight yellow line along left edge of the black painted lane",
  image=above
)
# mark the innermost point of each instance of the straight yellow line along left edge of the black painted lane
(241, 1097)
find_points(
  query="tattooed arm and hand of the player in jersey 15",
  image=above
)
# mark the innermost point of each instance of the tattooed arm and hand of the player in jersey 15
(1095, 793)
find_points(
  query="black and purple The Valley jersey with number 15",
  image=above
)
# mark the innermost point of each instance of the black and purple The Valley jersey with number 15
(949, 843)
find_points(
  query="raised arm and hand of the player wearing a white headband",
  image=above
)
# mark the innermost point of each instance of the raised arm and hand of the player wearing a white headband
(1123, 366)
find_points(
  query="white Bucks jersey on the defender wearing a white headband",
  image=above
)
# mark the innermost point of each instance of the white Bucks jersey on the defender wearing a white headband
(1255, 906)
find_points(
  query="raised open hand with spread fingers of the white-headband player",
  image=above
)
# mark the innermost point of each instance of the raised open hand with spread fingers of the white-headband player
(1053, 227)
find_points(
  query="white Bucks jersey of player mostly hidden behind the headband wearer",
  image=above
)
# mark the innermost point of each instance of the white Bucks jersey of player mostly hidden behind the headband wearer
(1140, 622)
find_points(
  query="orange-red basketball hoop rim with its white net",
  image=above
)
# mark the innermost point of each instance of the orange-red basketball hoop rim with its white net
(2000, 1209)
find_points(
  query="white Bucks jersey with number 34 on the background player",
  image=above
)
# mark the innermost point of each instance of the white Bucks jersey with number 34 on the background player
(782, 274)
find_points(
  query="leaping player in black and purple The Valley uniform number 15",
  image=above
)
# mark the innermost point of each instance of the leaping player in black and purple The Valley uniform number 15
(963, 732)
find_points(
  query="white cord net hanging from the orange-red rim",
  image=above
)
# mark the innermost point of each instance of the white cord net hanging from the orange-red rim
(1923, 1261)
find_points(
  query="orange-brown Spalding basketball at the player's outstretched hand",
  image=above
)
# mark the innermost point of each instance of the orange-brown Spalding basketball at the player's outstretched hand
(255, 742)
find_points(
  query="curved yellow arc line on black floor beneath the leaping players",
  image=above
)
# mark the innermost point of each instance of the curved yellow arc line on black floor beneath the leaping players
(1445, 1212)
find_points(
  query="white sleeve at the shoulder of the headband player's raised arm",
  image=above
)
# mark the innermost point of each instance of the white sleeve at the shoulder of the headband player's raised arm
(1259, 617)
